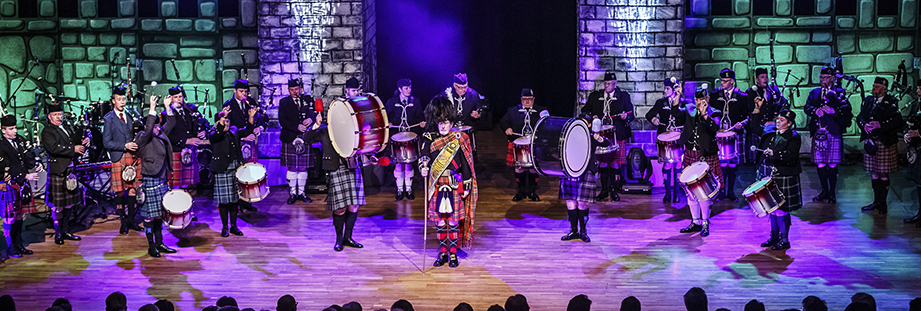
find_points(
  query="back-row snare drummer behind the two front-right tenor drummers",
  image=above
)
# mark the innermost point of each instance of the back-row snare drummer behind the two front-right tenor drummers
(736, 110)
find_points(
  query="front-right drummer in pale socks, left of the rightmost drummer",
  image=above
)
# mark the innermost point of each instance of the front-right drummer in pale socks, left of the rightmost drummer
(699, 139)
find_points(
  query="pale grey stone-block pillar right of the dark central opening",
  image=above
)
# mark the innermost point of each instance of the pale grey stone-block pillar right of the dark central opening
(640, 40)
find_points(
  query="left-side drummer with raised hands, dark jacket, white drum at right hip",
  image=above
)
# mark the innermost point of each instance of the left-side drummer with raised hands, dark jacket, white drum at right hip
(227, 157)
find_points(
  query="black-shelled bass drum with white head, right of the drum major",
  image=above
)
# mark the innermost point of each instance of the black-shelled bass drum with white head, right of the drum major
(561, 147)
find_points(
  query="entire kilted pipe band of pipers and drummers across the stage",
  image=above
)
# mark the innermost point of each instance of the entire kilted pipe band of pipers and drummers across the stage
(158, 158)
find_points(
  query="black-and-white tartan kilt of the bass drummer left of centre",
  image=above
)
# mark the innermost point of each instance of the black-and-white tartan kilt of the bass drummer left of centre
(345, 187)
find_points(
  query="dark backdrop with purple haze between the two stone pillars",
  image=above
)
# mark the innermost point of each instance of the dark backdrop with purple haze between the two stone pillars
(503, 46)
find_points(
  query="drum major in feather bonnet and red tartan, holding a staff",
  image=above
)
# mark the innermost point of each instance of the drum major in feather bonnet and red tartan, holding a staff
(447, 157)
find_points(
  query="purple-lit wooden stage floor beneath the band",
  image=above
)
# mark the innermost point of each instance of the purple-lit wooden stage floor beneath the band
(636, 249)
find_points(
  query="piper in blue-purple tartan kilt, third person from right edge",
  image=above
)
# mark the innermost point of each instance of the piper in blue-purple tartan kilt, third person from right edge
(829, 117)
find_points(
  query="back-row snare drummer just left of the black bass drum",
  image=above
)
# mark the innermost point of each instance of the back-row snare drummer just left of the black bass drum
(519, 121)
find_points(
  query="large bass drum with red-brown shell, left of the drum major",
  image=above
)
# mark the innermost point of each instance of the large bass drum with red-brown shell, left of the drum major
(358, 125)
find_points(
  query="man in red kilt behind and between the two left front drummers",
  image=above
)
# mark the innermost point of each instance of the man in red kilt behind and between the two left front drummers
(184, 134)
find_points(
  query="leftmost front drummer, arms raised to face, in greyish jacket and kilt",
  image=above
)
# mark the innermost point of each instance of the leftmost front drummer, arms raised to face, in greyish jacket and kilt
(156, 152)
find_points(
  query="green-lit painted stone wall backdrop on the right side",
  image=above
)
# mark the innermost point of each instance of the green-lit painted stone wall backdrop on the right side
(738, 37)
